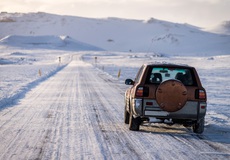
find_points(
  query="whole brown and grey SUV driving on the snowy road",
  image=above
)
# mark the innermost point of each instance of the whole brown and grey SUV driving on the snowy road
(168, 93)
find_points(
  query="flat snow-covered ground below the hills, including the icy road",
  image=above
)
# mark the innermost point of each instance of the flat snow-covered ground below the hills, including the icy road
(74, 110)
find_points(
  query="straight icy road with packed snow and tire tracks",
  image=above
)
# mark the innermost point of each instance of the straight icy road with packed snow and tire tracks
(78, 114)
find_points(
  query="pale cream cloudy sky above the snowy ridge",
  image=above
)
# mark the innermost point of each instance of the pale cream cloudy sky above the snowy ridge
(202, 13)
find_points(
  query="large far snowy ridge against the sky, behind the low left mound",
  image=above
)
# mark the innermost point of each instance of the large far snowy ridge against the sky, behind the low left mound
(116, 34)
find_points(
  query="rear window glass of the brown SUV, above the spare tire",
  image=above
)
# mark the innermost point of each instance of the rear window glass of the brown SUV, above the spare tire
(157, 75)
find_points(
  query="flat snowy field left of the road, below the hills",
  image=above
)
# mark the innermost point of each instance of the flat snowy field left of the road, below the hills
(21, 70)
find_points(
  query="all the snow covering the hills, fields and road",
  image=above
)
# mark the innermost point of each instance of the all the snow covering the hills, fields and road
(61, 98)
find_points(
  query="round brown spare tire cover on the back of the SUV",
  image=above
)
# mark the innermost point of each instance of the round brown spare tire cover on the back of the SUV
(171, 95)
